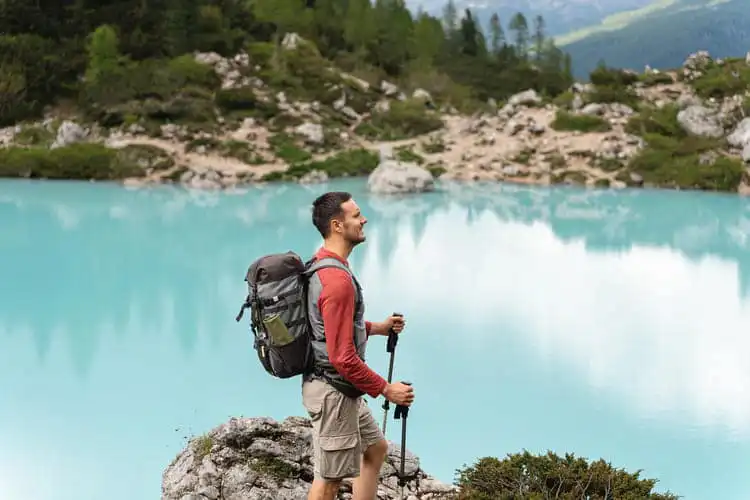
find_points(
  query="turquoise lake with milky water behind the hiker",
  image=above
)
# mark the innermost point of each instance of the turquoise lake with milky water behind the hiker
(609, 324)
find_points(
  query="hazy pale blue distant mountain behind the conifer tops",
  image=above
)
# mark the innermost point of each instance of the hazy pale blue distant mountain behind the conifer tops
(561, 16)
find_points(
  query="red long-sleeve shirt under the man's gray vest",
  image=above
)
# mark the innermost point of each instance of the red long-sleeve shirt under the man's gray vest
(336, 303)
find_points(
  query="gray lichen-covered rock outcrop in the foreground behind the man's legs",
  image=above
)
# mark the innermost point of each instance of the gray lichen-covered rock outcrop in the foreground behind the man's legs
(261, 459)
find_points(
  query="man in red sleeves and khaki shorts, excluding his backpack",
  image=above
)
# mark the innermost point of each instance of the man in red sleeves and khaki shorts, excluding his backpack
(346, 439)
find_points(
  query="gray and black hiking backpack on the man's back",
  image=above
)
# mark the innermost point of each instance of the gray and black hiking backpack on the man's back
(277, 298)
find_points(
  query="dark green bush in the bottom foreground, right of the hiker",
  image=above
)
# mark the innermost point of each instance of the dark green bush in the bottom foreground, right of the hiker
(523, 475)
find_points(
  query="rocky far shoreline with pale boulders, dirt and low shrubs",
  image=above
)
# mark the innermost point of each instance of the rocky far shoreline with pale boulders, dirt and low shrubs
(573, 139)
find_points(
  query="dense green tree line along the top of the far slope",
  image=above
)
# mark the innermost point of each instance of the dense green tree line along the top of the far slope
(44, 44)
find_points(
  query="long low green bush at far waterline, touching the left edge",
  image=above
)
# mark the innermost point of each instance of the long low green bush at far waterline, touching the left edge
(78, 161)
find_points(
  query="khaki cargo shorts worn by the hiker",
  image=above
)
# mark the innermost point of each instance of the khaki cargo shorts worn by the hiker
(343, 428)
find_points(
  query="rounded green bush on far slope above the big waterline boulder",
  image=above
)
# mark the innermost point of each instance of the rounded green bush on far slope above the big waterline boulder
(403, 120)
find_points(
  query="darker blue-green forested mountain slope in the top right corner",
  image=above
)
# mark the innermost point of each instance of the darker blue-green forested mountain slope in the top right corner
(662, 35)
